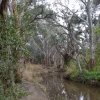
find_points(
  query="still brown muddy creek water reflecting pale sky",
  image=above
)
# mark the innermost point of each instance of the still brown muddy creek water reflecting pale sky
(60, 89)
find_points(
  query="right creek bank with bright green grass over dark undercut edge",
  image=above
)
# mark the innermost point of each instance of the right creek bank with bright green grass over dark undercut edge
(86, 77)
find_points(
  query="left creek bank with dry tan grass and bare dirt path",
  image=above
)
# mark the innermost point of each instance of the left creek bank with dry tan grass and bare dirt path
(33, 78)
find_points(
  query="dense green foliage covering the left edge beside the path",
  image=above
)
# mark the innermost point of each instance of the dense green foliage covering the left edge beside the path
(12, 49)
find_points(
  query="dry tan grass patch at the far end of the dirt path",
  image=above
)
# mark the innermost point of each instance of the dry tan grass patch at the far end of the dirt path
(32, 73)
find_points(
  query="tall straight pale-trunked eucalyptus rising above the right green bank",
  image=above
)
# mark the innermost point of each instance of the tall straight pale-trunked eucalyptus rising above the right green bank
(90, 26)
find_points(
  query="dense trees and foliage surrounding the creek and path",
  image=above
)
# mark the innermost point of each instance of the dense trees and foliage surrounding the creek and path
(33, 31)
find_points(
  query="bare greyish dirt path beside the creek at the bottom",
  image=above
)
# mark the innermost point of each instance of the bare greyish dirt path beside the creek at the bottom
(35, 92)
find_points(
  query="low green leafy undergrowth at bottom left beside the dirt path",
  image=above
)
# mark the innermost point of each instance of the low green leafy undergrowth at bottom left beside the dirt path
(15, 93)
